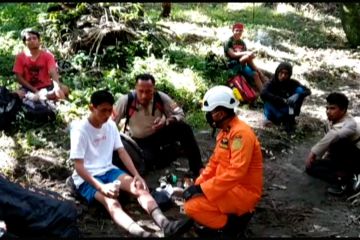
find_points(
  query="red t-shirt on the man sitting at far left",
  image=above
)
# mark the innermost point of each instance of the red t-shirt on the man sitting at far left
(36, 72)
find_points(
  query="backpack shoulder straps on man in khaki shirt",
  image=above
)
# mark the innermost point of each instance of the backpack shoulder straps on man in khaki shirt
(131, 106)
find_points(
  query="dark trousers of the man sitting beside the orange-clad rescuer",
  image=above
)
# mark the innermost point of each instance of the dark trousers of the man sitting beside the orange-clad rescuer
(158, 149)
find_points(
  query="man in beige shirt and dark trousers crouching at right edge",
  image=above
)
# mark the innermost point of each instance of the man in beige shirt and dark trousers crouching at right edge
(335, 158)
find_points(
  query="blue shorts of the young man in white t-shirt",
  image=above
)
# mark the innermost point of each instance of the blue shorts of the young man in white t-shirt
(87, 191)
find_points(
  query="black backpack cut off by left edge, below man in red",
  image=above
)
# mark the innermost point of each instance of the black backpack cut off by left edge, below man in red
(10, 104)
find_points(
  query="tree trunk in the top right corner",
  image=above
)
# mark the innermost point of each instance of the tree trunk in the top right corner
(350, 19)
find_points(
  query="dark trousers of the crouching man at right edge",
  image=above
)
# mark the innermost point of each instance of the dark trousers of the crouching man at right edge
(341, 164)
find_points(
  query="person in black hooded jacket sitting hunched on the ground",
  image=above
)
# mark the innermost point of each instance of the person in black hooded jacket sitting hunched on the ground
(283, 98)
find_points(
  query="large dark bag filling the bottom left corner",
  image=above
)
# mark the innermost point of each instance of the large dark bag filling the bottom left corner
(38, 213)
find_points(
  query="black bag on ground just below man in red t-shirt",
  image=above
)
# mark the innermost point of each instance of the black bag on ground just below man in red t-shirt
(39, 112)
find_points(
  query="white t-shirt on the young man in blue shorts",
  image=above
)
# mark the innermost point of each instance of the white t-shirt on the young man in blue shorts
(94, 145)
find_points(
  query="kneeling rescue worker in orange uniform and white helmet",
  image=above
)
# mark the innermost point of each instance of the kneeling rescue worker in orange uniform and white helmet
(231, 184)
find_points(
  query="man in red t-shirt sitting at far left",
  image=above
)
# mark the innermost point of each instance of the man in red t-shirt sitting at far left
(36, 70)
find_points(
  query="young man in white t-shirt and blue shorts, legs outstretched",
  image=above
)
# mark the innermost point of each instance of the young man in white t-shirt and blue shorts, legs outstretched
(93, 140)
